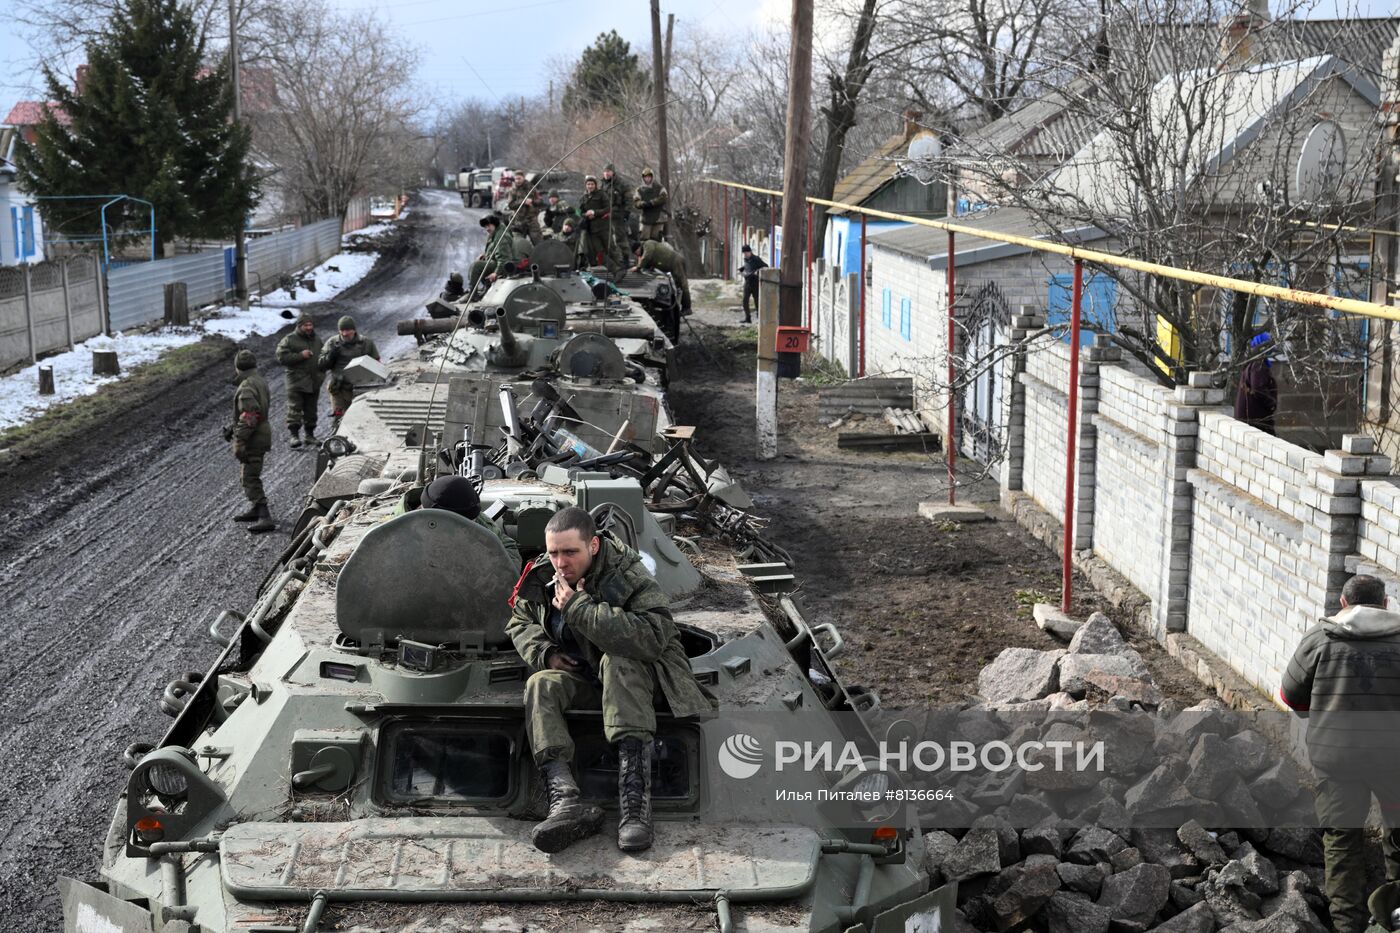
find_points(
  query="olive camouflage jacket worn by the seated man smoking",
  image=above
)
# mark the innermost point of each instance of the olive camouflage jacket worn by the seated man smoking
(622, 611)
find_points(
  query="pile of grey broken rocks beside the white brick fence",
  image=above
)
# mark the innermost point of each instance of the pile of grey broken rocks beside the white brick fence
(1093, 873)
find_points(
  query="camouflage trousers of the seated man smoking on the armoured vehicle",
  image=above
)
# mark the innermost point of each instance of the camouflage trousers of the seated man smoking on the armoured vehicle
(628, 700)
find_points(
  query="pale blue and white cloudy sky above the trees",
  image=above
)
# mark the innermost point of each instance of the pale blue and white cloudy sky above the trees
(500, 50)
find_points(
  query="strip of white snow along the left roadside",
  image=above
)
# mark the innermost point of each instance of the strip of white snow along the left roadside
(20, 400)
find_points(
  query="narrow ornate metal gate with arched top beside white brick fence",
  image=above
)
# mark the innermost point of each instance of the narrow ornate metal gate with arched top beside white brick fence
(986, 323)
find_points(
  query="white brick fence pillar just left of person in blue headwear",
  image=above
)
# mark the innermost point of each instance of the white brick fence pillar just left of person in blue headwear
(1182, 431)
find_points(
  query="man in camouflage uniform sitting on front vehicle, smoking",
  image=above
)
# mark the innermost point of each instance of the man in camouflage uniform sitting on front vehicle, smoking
(600, 638)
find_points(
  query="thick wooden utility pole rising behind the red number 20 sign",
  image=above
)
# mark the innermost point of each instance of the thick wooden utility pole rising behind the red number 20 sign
(794, 179)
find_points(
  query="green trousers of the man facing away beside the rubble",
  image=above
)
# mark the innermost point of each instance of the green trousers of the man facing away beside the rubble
(1343, 805)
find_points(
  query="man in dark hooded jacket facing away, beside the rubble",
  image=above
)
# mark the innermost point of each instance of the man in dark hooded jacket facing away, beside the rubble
(1346, 675)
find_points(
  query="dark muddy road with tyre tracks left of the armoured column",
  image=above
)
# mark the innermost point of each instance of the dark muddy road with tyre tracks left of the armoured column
(118, 551)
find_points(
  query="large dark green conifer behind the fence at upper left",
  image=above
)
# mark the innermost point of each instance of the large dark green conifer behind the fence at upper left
(152, 121)
